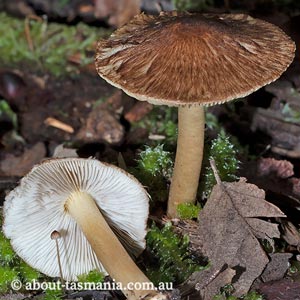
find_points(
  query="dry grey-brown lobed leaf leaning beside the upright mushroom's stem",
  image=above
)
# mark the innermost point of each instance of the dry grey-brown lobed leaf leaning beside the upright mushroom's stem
(227, 234)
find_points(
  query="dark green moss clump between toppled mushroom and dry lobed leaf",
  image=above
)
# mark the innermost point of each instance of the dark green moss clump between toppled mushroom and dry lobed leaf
(174, 262)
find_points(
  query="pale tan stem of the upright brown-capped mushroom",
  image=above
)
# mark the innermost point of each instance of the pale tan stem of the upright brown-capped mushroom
(189, 154)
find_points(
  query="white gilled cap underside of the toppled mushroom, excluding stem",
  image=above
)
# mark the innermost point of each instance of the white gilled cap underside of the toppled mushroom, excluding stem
(36, 208)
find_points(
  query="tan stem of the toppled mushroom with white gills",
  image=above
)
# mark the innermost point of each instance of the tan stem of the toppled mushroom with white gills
(113, 256)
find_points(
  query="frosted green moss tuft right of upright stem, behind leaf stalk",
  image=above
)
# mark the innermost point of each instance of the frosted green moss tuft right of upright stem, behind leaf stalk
(224, 154)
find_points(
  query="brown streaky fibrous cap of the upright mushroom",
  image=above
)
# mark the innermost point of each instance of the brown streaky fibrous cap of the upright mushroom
(183, 59)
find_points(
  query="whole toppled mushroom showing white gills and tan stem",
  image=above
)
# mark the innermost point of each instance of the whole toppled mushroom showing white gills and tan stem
(87, 202)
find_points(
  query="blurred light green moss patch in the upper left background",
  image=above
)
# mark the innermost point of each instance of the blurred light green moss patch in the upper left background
(53, 44)
